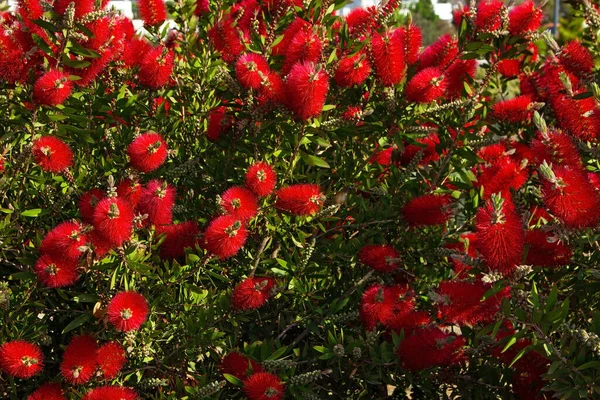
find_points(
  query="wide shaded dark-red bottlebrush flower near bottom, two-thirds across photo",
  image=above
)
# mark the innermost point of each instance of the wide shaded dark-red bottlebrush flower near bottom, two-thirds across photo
(430, 347)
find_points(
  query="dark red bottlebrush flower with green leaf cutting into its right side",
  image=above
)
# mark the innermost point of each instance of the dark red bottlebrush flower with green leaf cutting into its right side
(462, 303)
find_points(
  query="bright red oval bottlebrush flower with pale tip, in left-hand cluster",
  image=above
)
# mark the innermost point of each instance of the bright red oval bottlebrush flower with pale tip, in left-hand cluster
(113, 220)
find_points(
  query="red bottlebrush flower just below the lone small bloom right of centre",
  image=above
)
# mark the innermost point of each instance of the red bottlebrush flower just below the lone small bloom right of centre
(382, 304)
